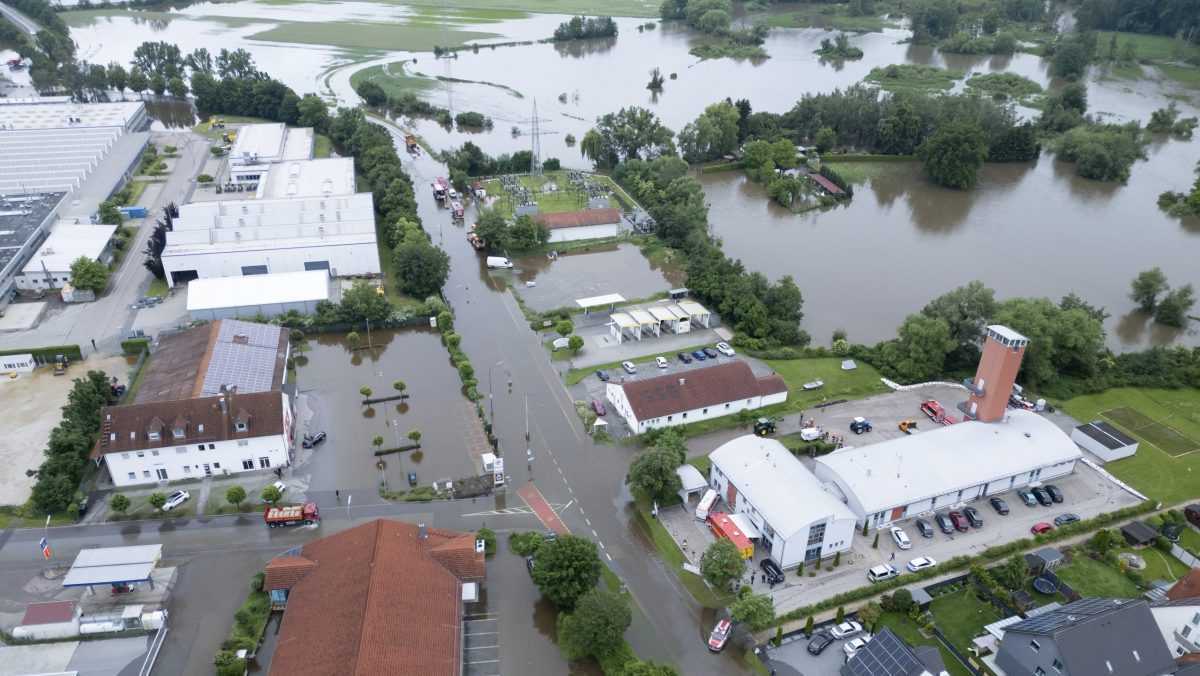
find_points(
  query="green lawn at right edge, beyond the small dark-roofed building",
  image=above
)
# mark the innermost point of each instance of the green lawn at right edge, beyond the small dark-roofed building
(1167, 466)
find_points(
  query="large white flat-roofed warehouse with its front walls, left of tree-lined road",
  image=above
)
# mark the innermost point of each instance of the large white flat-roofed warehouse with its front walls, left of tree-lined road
(259, 237)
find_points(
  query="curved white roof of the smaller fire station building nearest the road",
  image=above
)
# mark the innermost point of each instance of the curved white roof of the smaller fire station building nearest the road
(781, 487)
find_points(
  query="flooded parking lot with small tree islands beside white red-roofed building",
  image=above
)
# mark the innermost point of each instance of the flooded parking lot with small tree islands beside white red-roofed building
(332, 374)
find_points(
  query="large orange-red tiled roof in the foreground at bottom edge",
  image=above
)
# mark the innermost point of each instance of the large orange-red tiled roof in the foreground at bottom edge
(379, 600)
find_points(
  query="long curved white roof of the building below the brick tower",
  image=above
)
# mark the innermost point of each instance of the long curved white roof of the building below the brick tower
(944, 460)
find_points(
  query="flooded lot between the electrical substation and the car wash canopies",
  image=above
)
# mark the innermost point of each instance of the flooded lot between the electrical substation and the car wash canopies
(584, 273)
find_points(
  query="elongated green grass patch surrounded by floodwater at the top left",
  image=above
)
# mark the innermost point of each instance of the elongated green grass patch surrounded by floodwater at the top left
(371, 35)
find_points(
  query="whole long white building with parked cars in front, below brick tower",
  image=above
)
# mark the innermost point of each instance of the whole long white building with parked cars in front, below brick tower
(949, 466)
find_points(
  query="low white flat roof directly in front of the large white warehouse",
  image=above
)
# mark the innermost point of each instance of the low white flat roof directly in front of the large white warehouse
(214, 294)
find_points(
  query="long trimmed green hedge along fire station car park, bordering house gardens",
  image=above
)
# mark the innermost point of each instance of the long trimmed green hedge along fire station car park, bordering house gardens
(964, 563)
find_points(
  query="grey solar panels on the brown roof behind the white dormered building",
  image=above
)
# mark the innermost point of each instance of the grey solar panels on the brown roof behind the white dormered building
(244, 356)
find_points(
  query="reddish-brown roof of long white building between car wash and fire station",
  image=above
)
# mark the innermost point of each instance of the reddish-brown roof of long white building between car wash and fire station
(667, 396)
